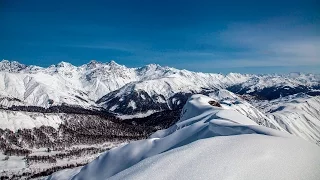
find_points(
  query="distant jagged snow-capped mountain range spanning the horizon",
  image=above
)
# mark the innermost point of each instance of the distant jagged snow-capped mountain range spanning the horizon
(133, 90)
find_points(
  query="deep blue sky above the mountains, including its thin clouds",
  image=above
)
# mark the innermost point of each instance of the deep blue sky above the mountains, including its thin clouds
(209, 36)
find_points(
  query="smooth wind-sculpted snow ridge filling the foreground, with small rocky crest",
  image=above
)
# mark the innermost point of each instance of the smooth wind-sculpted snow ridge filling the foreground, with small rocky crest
(208, 142)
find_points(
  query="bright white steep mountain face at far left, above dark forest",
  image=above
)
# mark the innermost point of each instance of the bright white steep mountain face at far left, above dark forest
(41, 89)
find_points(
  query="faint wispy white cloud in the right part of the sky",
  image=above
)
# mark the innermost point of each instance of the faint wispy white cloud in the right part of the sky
(273, 44)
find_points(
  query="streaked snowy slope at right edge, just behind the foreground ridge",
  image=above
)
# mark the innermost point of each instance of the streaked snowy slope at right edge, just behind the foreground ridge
(298, 114)
